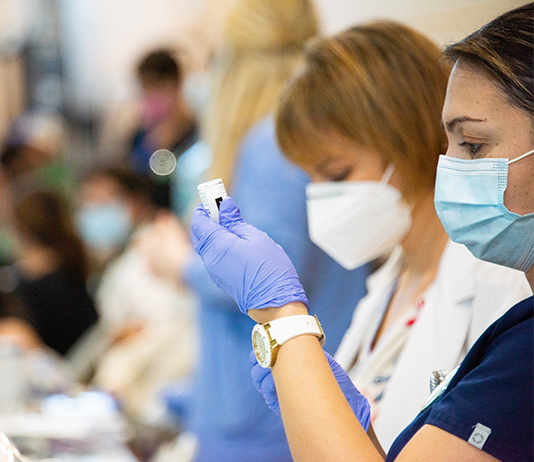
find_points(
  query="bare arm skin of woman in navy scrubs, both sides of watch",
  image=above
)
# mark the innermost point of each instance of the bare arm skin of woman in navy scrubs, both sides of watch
(319, 423)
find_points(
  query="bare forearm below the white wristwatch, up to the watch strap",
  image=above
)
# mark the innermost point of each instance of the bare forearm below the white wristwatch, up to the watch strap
(320, 425)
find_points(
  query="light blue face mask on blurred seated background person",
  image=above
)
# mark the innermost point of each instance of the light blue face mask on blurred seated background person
(104, 226)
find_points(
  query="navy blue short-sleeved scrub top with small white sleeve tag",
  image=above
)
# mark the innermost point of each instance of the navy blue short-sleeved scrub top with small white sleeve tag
(493, 389)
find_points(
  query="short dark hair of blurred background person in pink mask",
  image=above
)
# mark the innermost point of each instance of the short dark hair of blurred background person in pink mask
(159, 66)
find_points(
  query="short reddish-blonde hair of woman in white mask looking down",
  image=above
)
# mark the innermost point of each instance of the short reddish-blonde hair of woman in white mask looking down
(379, 85)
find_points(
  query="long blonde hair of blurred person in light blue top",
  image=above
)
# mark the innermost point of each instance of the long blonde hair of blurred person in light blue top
(262, 46)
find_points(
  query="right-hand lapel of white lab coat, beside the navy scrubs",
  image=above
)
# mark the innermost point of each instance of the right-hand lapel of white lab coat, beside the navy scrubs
(444, 323)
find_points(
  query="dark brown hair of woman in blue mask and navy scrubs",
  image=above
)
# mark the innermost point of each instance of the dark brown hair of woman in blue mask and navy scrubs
(504, 50)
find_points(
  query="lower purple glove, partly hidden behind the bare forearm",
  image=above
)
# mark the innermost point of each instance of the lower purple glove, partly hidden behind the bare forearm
(264, 383)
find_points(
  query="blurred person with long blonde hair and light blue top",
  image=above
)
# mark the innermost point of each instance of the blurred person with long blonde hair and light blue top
(259, 50)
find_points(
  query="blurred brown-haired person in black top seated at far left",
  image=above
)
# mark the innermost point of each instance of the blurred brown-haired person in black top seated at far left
(51, 269)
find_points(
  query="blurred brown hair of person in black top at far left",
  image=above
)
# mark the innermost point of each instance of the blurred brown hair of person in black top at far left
(46, 218)
